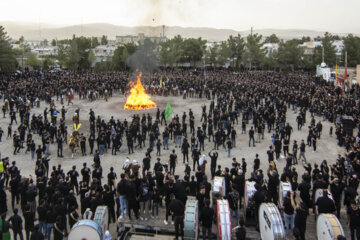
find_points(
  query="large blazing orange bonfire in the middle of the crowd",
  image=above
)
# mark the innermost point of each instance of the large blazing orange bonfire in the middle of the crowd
(138, 98)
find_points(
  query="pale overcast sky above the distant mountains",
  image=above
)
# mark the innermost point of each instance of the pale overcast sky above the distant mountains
(340, 16)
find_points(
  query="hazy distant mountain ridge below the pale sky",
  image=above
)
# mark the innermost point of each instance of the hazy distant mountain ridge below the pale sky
(40, 31)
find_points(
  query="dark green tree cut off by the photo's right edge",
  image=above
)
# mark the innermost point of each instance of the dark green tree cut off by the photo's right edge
(352, 47)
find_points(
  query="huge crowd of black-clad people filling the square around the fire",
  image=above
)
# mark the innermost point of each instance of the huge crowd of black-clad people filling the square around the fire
(234, 103)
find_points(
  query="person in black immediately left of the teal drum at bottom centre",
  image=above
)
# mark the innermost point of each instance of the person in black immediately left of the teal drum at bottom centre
(176, 207)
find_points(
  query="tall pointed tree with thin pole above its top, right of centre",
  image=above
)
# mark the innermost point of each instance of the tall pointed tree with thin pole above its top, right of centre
(254, 53)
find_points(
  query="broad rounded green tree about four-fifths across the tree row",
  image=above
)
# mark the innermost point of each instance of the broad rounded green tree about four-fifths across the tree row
(290, 54)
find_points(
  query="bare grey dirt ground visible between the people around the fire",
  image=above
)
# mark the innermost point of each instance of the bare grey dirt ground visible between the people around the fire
(327, 145)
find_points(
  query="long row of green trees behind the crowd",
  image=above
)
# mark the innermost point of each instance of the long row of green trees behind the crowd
(237, 52)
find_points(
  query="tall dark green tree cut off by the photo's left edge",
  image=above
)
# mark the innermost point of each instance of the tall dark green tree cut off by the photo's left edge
(8, 61)
